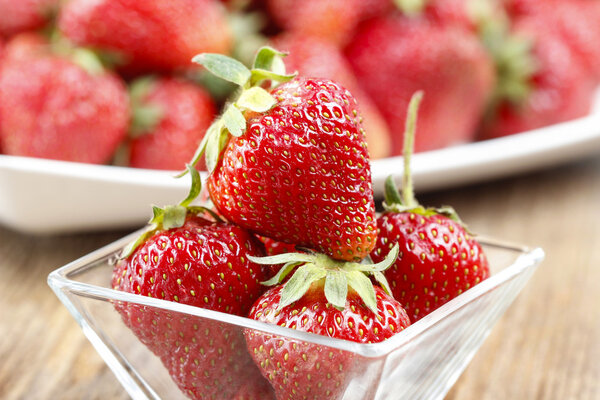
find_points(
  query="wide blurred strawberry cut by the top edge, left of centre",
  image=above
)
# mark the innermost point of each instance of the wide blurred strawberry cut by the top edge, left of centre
(148, 35)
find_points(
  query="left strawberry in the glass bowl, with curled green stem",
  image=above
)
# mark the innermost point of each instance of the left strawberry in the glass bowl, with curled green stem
(185, 258)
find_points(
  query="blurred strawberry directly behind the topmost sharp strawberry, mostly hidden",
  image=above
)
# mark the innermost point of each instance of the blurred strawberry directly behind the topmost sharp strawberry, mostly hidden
(319, 59)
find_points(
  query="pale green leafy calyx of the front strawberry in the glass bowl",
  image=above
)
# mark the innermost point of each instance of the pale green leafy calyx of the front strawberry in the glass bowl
(339, 277)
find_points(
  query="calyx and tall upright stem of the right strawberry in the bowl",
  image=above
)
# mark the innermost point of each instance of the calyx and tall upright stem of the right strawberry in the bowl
(397, 202)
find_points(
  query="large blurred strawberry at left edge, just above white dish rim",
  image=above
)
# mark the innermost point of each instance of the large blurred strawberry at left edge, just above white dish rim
(54, 108)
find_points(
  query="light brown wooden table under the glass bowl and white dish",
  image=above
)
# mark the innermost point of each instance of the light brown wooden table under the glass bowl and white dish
(546, 346)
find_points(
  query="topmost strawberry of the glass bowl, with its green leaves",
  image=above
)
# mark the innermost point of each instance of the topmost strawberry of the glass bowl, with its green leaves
(297, 169)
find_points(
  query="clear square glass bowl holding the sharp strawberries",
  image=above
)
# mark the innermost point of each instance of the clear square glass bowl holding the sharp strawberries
(421, 362)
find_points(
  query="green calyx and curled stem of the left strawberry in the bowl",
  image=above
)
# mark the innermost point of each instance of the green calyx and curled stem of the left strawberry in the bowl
(172, 216)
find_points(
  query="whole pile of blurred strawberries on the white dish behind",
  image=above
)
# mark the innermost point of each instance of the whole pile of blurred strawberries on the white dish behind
(111, 81)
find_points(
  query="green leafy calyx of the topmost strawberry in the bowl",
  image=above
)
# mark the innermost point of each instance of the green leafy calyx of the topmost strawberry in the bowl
(252, 97)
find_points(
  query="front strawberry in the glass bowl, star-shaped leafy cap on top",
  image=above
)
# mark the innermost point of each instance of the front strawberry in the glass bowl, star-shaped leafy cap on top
(328, 298)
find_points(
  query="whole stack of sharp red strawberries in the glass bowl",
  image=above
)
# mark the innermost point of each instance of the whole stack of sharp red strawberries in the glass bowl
(289, 176)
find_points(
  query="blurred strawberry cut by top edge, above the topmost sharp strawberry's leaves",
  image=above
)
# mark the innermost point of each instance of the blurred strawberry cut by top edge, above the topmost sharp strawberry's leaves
(331, 20)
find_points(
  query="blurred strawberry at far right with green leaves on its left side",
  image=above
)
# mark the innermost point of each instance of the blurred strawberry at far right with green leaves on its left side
(551, 87)
